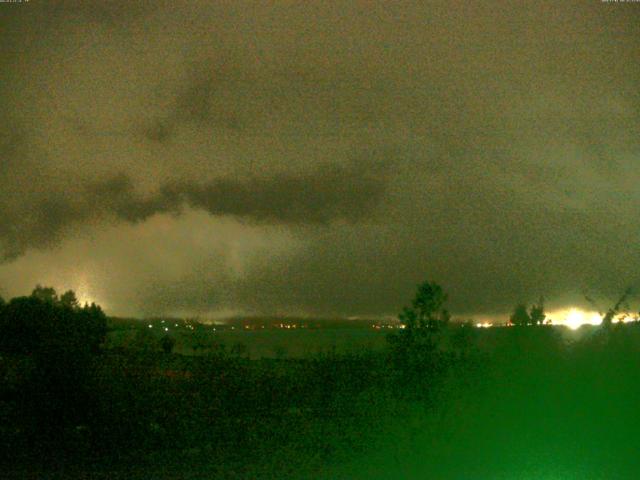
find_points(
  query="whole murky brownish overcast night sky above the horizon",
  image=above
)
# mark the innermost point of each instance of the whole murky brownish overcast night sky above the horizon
(319, 157)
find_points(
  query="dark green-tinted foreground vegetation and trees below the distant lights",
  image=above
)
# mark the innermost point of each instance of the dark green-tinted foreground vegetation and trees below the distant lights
(442, 401)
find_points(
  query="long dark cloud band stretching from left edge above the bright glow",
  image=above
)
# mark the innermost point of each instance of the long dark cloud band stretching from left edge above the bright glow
(336, 193)
